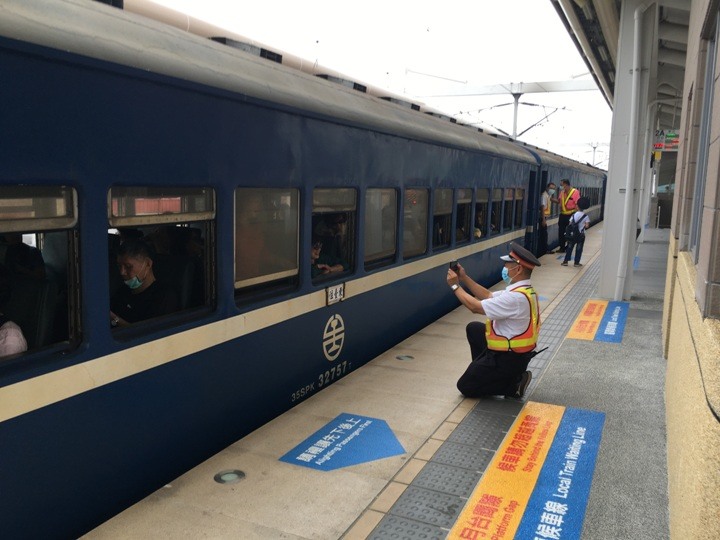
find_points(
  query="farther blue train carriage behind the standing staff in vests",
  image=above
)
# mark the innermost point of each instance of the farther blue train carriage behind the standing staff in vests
(589, 180)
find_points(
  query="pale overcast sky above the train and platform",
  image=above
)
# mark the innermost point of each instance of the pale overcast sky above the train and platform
(430, 53)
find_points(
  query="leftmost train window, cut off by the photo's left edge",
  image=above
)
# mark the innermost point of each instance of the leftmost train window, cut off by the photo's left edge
(39, 275)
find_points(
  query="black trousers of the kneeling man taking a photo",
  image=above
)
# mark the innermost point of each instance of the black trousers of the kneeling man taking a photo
(490, 373)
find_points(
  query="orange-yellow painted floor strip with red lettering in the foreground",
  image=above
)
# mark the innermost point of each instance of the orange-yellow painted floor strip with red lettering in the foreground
(497, 504)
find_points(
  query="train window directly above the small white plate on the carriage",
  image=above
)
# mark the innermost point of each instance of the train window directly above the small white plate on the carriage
(334, 226)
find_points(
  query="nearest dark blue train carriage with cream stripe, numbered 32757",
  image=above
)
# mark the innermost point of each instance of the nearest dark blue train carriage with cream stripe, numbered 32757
(232, 168)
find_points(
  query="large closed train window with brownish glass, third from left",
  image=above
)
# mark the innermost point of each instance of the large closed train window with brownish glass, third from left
(266, 239)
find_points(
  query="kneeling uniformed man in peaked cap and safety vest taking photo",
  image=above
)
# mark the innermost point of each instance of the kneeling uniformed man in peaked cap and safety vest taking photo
(501, 348)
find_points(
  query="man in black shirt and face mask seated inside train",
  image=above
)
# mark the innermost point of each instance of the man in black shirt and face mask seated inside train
(143, 297)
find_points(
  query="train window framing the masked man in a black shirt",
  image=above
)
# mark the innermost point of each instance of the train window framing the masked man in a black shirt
(164, 237)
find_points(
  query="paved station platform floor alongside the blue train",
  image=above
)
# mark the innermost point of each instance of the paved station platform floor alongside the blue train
(448, 441)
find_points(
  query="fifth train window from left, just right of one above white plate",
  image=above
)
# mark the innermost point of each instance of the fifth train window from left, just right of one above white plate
(380, 227)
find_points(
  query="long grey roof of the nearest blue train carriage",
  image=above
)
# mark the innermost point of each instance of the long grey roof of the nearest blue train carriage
(109, 34)
